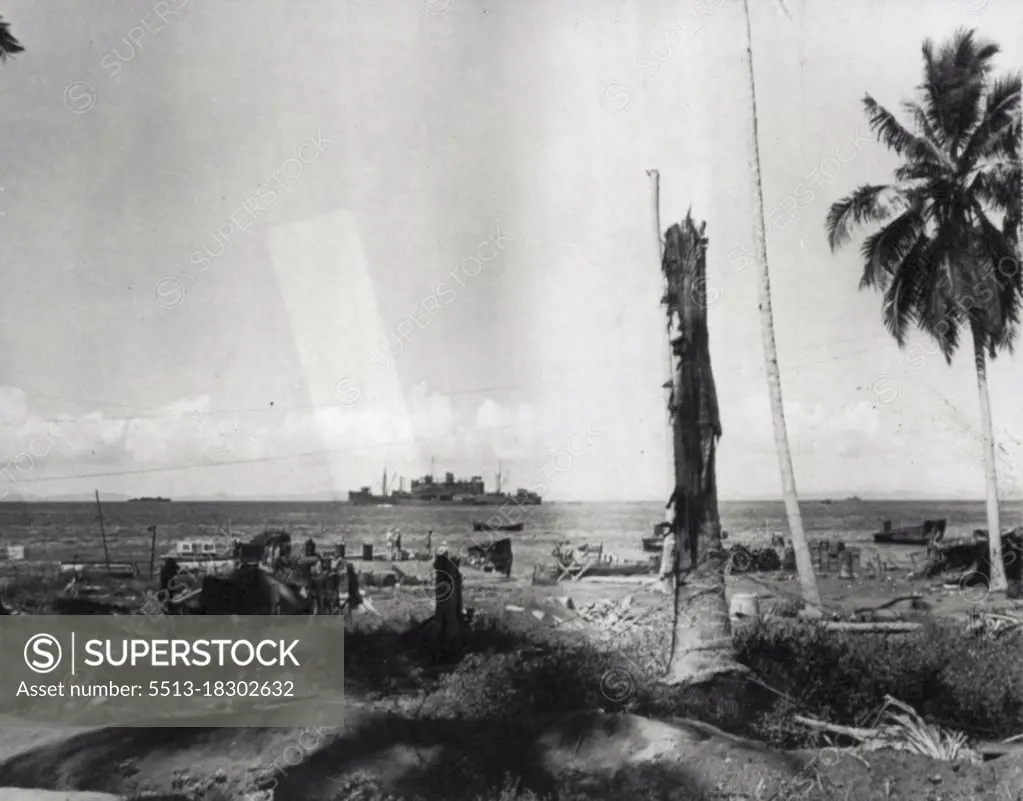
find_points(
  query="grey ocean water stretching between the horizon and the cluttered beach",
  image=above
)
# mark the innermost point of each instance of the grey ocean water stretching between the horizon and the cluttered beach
(56, 531)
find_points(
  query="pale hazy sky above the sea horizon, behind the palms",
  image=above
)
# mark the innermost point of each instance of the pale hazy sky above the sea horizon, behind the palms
(274, 250)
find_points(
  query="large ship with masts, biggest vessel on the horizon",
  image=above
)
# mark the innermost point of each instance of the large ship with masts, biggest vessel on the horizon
(452, 492)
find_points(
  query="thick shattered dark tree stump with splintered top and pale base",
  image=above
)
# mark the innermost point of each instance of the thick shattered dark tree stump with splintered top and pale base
(702, 648)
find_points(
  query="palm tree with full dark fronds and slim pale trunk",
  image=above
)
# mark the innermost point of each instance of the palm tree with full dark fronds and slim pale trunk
(942, 259)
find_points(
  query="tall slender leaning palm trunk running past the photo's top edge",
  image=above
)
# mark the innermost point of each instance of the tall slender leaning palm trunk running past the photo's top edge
(805, 565)
